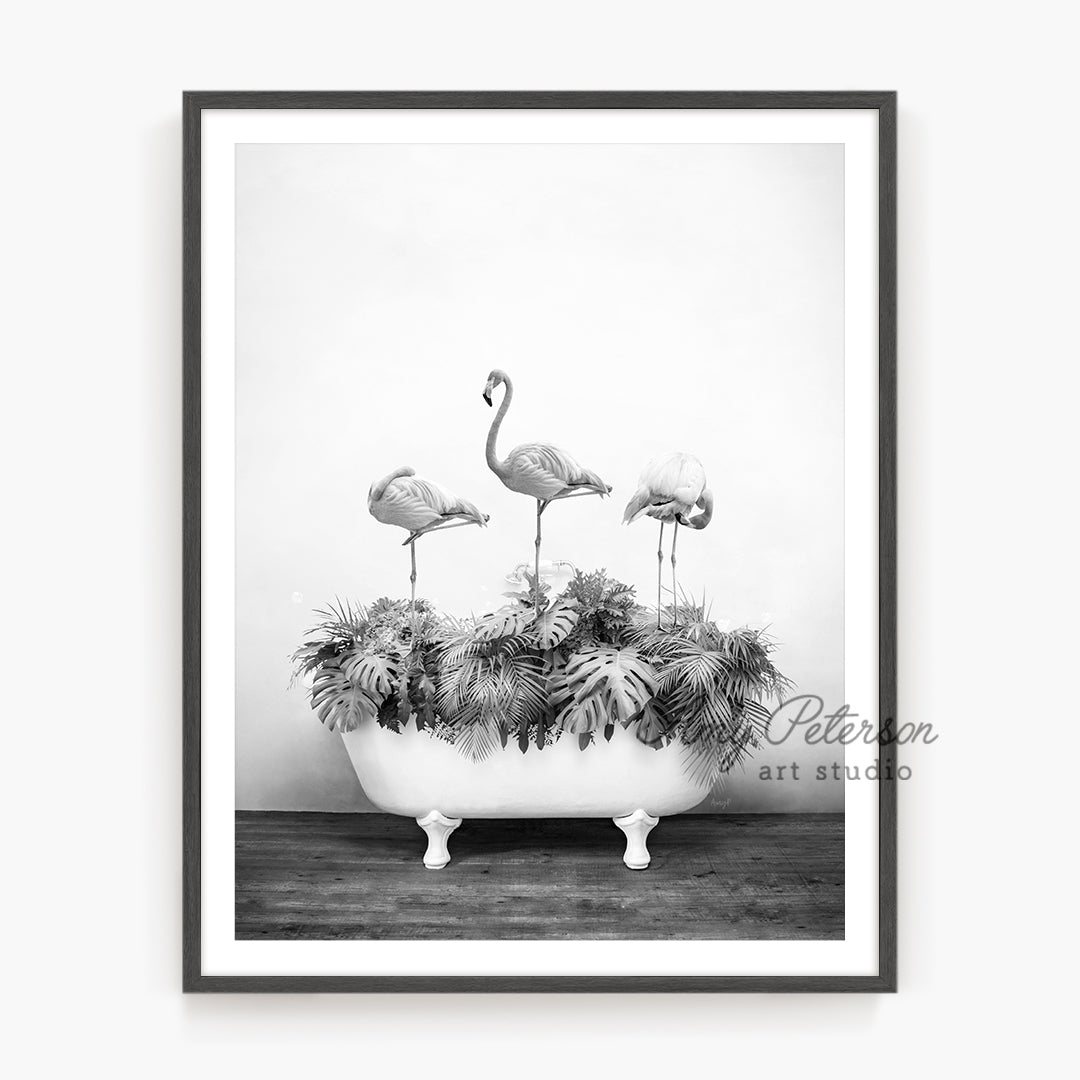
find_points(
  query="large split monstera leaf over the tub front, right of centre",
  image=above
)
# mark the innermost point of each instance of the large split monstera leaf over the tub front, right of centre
(603, 686)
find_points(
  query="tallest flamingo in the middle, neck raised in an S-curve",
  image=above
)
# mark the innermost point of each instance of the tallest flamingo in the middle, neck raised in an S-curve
(539, 470)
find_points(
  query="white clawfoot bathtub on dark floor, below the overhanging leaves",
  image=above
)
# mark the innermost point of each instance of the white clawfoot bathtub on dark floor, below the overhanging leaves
(417, 776)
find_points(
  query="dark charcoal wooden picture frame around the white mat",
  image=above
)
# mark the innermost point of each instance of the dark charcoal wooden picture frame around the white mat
(195, 104)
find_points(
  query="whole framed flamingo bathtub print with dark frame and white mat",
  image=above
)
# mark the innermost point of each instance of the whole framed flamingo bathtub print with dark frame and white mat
(539, 542)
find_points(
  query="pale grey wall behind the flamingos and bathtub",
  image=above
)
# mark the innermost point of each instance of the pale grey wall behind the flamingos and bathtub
(644, 299)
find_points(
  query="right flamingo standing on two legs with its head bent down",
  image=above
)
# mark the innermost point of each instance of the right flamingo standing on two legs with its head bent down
(669, 489)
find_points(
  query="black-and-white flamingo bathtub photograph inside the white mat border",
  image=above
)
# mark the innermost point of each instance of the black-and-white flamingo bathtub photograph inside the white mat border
(541, 479)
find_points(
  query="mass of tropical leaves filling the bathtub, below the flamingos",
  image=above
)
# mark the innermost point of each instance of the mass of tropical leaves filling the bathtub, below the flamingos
(543, 668)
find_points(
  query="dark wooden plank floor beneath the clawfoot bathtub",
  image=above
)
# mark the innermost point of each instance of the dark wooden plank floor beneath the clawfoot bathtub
(321, 876)
